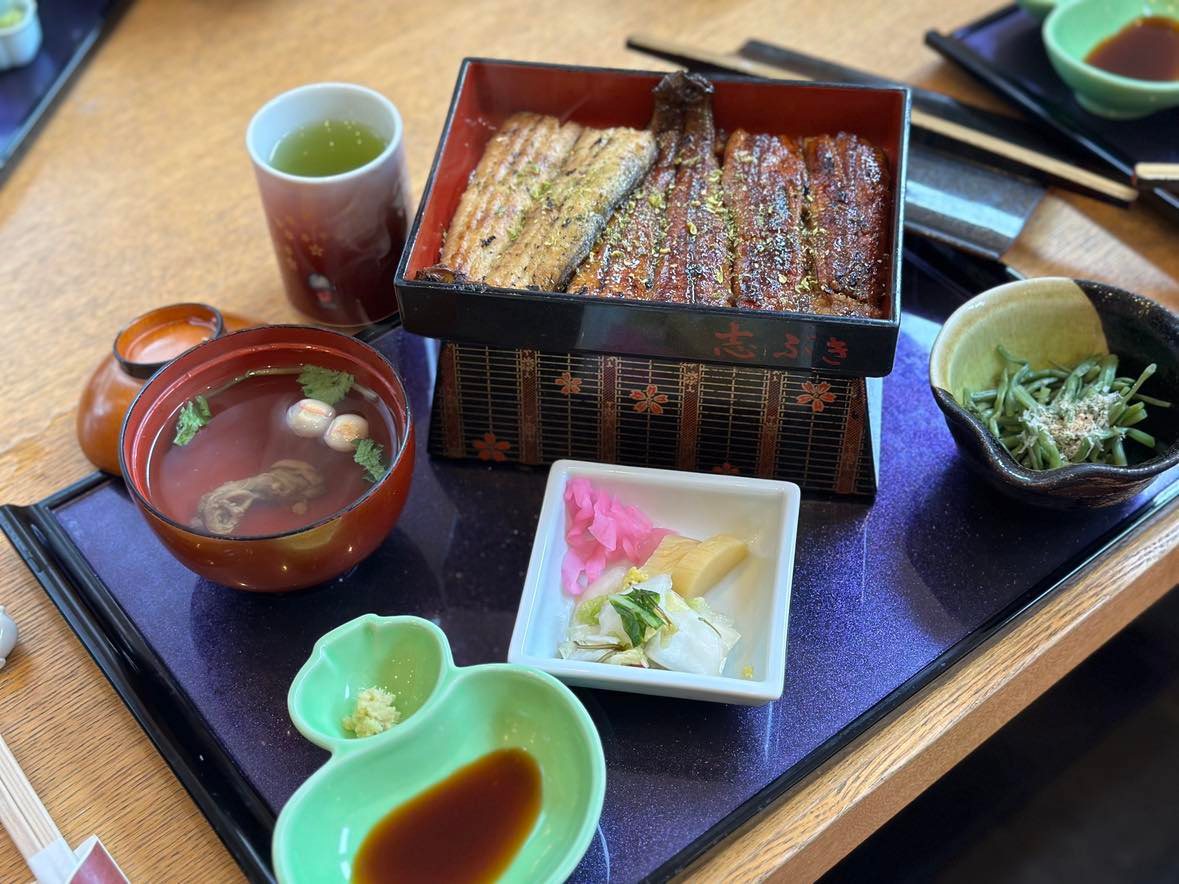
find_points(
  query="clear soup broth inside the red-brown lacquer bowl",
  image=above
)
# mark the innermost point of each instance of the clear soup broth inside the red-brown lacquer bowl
(247, 473)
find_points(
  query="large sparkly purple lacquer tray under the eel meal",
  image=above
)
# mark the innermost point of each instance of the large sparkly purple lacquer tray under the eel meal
(886, 597)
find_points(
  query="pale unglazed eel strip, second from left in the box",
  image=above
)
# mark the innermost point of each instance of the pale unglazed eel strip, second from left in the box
(570, 215)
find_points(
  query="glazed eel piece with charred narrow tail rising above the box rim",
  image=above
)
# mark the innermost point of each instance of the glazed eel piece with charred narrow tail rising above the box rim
(623, 263)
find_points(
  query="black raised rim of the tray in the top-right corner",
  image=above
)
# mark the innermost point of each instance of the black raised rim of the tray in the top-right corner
(954, 49)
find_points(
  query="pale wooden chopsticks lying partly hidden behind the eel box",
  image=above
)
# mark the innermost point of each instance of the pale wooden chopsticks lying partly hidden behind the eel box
(973, 138)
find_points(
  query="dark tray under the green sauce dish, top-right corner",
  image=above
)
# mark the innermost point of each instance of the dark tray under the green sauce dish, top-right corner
(1006, 52)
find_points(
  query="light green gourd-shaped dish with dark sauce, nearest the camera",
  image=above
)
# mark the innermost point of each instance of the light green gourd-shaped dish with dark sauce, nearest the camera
(489, 774)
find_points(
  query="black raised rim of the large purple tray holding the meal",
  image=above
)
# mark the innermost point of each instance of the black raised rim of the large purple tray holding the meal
(232, 806)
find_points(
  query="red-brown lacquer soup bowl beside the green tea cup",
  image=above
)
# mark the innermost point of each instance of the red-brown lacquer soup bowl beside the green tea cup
(294, 559)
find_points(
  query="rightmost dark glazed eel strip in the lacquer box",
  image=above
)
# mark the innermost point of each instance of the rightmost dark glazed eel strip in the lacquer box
(847, 209)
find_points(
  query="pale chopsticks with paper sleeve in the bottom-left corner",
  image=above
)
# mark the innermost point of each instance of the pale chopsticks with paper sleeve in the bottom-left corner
(37, 837)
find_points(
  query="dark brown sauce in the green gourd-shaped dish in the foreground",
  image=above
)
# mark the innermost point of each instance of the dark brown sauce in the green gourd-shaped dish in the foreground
(469, 828)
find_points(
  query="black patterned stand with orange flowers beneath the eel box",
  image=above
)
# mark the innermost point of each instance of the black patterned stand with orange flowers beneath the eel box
(806, 426)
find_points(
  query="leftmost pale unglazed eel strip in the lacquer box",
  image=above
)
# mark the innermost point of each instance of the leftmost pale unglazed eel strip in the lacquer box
(518, 163)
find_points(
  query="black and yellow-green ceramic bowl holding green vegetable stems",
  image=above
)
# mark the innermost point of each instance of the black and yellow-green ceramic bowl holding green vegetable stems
(1059, 320)
